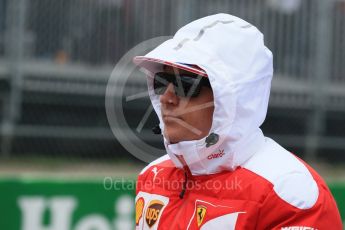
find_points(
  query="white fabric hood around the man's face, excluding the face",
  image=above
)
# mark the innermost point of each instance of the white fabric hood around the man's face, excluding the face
(239, 66)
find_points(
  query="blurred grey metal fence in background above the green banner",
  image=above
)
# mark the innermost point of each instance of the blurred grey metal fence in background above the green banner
(56, 58)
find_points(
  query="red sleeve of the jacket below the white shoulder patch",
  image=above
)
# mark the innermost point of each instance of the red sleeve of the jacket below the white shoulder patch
(275, 213)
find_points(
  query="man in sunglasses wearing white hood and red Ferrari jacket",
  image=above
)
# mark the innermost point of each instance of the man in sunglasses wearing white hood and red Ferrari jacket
(210, 86)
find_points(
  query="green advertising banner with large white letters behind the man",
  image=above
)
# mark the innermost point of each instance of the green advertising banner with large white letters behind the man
(99, 204)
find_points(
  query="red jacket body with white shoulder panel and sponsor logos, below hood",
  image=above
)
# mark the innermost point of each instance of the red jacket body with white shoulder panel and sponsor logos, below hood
(256, 195)
